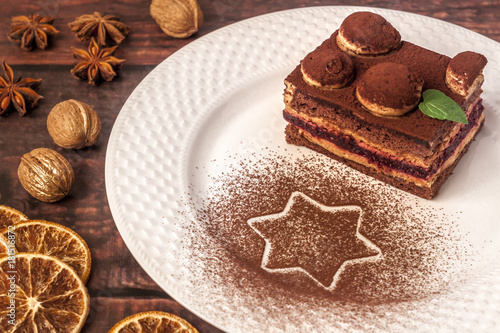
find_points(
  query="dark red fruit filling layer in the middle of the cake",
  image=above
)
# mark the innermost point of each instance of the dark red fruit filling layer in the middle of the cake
(348, 143)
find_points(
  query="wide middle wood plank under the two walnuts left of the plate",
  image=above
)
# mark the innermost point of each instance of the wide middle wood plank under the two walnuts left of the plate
(86, 209)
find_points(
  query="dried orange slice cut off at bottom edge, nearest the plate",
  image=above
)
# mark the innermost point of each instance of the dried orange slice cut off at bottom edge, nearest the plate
(153, 322)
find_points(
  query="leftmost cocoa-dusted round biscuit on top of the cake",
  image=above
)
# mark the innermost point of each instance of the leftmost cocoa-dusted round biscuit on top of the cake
(327, 69)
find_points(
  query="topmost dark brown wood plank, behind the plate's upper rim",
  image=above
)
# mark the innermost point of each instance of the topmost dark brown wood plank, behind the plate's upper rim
(148, 45)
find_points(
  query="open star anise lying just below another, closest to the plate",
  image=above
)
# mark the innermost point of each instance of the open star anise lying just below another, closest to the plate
(96, 64)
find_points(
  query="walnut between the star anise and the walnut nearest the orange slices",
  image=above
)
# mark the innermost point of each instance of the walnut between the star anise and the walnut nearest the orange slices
(74, 124)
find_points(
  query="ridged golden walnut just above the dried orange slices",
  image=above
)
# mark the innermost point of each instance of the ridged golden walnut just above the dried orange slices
(46, 174)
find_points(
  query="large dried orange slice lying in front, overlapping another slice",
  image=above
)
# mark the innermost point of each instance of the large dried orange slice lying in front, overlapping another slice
(40, 293)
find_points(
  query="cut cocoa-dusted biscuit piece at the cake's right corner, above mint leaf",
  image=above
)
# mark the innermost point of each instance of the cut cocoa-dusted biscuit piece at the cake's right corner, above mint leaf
(464, 74)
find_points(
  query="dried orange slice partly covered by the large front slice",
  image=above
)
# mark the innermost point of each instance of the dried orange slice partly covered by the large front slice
(53, 239)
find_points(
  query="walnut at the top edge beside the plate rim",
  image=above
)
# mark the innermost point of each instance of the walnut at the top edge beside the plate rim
(177, 18)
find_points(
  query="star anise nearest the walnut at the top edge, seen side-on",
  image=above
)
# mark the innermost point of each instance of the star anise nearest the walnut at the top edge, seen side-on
(101, 27)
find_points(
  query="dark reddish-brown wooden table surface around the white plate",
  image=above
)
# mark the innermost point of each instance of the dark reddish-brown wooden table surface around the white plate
(118, 286)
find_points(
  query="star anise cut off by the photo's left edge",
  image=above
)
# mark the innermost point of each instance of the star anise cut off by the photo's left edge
(17, 94)
